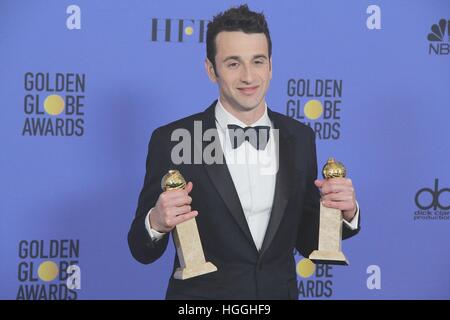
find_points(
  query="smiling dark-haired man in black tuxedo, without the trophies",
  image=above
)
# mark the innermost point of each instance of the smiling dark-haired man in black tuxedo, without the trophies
(251, 215)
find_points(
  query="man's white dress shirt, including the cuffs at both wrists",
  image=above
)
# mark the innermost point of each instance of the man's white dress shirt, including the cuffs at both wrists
(253, 175)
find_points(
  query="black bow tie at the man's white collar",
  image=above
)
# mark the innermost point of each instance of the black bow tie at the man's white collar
(258, 136)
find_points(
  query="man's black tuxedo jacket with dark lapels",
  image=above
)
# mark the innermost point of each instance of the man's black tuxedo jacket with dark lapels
(243, 271)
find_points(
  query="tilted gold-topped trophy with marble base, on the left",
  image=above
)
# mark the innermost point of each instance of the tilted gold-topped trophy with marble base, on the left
(187, 240)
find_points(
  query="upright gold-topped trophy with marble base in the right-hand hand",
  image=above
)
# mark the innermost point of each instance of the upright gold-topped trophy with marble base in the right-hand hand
(330, 229)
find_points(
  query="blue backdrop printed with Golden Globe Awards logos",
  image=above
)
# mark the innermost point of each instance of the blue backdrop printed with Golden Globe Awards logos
(84, 83)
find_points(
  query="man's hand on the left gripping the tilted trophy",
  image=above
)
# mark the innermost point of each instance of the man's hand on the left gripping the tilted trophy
(172, 208)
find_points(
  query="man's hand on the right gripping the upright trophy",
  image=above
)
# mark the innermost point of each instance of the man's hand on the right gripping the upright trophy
(338, 193)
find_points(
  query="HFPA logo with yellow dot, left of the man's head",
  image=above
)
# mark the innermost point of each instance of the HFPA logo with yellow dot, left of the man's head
(178, 30)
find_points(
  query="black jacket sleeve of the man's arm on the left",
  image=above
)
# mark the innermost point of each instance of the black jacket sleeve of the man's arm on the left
(141, 245)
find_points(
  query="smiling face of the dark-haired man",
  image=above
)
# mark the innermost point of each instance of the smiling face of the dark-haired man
(243, 69)
